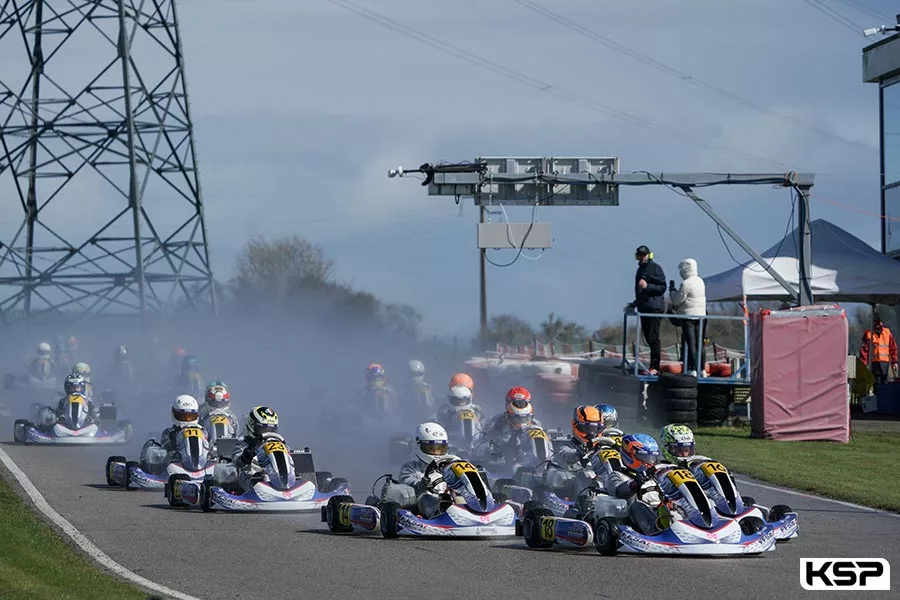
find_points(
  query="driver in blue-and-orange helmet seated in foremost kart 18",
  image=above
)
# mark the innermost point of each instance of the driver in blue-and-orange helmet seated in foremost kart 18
(623, 473)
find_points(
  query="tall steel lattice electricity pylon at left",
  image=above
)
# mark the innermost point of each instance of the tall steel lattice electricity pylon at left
(98, 159)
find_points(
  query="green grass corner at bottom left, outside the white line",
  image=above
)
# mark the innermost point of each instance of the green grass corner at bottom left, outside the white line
(36, 564)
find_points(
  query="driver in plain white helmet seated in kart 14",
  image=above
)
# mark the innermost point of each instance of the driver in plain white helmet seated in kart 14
(432, 443)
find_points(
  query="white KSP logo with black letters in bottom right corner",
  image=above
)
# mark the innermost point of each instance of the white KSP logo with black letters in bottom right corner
(845, 574)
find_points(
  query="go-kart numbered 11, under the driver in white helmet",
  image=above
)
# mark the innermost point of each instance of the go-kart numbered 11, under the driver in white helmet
(193, 458)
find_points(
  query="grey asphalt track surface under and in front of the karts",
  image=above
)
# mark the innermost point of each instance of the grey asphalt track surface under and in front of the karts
(249, 556)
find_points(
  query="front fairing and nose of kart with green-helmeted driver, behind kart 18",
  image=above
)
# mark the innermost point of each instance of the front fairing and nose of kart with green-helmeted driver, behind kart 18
(719, 486)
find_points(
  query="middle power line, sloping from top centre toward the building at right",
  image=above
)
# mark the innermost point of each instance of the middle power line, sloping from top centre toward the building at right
(681, 75)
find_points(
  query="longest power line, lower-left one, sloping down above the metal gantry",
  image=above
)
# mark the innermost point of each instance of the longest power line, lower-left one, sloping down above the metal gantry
(551, 89)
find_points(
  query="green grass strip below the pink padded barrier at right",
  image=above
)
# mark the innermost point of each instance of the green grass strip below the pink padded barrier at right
(859, 472)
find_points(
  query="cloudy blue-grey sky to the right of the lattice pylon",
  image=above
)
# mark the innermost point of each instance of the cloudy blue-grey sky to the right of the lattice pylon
(300, 109)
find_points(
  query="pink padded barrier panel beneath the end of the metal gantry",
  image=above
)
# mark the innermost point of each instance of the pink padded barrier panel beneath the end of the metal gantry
(799, 374)
